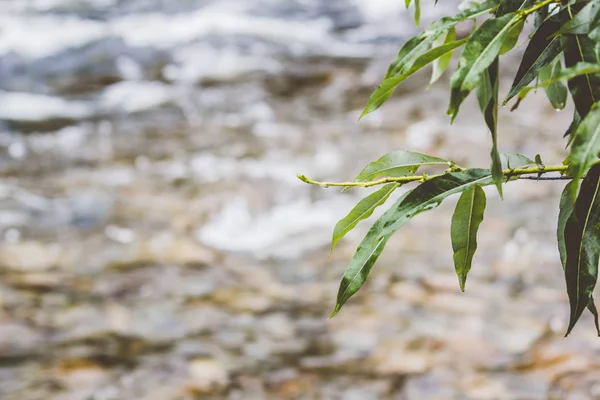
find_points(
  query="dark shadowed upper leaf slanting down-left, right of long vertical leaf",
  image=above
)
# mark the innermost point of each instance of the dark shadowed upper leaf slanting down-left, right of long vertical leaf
(540, 51)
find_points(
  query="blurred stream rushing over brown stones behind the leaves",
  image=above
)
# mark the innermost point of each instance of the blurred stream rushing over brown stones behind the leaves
(157, 245)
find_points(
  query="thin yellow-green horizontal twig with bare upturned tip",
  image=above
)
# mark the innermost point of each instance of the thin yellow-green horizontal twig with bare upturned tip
(510, 173)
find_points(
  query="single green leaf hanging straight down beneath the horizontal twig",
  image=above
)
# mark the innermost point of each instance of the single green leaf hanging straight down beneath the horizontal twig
(465, 224)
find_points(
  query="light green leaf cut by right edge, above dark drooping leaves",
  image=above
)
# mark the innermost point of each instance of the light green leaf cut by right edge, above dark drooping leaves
(585, 145)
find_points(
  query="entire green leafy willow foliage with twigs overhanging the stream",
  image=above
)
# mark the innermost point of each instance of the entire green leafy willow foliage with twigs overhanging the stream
(561, 57)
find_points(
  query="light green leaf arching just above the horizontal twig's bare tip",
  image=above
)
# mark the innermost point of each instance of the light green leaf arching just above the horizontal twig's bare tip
(397, 164)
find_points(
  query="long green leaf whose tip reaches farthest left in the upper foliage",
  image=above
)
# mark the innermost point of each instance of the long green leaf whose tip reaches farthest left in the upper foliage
(387, 87)
